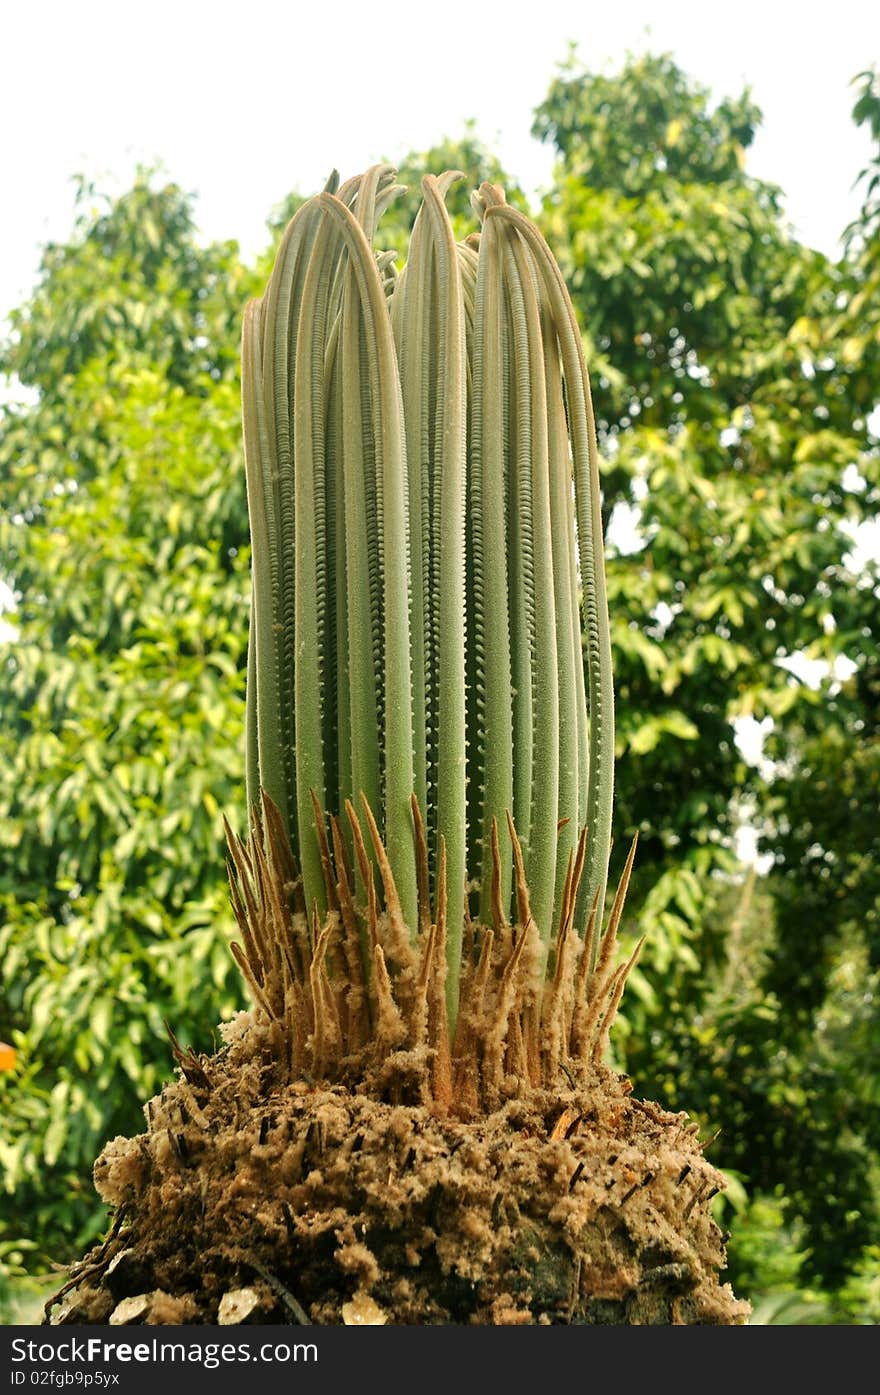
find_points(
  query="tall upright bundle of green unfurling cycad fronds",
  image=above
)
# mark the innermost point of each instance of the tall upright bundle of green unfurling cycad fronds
(423, 485)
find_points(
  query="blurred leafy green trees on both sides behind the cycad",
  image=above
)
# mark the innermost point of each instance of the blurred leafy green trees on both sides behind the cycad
(736, 376)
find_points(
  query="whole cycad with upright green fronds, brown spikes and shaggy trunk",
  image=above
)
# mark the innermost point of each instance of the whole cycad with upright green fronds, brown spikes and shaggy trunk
(416, 1122)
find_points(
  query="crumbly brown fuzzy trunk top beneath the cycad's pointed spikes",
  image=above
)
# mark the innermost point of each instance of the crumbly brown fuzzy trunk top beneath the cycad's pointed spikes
(255, 1198)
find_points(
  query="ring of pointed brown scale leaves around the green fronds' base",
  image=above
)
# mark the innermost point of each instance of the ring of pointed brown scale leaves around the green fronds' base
(352, 995)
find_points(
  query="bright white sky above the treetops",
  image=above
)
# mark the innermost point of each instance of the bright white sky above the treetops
(242, 103)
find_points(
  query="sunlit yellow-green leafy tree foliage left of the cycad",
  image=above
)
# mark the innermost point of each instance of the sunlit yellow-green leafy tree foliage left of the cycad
(123, 687)
